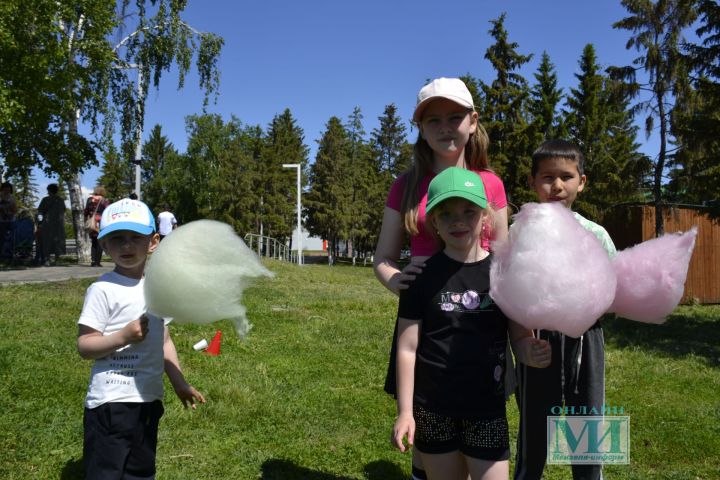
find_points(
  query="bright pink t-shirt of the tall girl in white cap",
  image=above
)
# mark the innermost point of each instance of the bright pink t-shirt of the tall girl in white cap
(424, 244)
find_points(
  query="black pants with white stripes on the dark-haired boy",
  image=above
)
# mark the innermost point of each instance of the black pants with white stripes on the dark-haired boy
(575, 378)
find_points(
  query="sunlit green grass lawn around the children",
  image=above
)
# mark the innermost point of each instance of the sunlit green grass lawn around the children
(302, 397)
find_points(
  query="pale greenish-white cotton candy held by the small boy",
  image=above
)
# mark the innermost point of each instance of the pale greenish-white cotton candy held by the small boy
(198, 274)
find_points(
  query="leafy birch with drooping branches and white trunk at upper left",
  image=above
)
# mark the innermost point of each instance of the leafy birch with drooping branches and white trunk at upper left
(60, 65)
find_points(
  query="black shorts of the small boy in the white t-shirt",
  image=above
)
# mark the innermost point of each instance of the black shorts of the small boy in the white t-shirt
(121, 440)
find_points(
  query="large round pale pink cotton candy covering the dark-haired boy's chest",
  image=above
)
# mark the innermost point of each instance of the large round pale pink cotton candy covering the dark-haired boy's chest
(552, 273)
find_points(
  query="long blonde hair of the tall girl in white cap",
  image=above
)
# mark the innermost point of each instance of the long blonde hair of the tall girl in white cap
(476, 158)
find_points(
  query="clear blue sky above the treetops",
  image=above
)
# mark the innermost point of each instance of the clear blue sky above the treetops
(323, 58)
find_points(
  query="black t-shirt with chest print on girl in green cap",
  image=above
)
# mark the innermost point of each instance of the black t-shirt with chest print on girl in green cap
(460, 358)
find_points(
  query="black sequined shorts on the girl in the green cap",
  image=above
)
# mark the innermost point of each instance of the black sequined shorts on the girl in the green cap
(484, 439)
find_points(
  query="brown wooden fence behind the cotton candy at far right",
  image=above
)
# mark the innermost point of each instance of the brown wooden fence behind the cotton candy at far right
(629, 225)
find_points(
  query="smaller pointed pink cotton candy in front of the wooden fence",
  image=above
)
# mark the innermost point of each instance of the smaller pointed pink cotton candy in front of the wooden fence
(651, 277)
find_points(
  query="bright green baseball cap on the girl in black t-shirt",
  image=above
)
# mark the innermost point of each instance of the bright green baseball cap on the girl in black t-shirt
(456, 182)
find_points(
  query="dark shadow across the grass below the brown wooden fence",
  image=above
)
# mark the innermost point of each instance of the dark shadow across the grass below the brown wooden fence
(684, 333)
